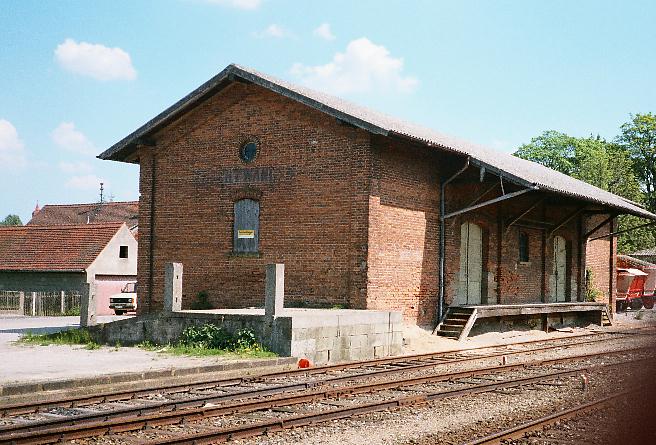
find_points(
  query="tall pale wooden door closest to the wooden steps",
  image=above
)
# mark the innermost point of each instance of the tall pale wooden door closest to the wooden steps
(471, 264)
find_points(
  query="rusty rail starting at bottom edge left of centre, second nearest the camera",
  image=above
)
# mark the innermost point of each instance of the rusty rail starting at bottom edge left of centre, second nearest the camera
(243, 431)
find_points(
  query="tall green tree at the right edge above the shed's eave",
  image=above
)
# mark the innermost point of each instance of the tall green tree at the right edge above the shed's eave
(638, 137)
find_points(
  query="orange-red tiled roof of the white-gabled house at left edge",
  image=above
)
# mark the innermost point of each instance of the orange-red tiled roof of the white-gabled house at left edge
(70, 248)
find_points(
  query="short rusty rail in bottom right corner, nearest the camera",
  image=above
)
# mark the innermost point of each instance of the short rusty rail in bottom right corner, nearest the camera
(519, 431)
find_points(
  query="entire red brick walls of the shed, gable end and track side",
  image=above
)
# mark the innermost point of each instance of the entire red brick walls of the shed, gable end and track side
(353, 217)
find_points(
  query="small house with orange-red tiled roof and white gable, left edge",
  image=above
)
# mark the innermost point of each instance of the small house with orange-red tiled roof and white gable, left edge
(62, 258)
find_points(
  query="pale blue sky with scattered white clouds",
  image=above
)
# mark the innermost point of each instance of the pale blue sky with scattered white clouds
(77, 76)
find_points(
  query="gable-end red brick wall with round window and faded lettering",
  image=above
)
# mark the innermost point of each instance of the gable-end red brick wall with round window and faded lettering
(313, 212)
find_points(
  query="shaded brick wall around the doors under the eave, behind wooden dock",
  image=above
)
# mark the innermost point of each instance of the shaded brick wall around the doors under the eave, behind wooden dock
(506, 280)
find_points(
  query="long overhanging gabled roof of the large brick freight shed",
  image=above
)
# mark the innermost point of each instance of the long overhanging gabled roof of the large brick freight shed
(519, 171)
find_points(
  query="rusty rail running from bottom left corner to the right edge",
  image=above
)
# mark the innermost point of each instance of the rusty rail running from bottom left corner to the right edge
(71, 428)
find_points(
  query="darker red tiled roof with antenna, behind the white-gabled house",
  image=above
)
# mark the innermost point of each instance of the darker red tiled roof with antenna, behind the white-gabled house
(56, 215)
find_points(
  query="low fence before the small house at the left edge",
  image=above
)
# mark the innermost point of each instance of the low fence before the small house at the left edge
(56, 303)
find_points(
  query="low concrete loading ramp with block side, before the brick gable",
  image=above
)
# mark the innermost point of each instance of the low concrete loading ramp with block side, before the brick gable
(321, 335)
